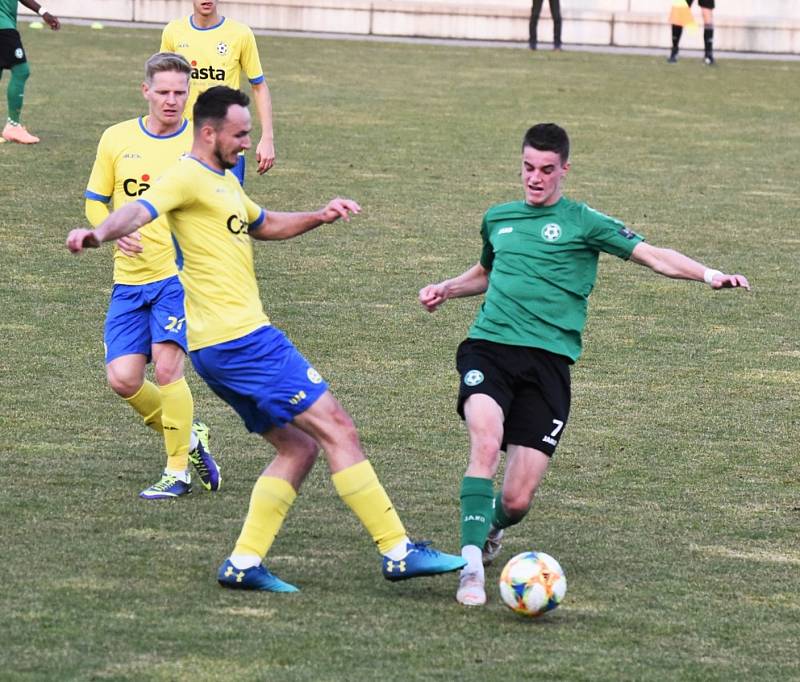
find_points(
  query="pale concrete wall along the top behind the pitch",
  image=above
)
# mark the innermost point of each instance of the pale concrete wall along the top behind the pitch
(740, 25)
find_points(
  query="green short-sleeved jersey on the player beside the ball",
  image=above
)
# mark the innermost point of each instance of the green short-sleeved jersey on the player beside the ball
(542, 263)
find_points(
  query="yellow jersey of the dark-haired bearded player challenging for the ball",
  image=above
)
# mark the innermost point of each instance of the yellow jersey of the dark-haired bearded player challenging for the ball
(210, 216)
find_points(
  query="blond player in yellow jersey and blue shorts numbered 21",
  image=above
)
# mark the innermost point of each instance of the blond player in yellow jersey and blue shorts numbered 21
(146, 317)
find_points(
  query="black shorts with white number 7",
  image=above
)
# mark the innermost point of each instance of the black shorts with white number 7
(531, 386)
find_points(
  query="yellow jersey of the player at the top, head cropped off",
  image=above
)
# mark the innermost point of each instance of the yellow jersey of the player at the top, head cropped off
(218, 54)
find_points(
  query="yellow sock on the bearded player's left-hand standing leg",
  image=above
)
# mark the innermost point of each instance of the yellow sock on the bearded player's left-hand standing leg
(269, 504)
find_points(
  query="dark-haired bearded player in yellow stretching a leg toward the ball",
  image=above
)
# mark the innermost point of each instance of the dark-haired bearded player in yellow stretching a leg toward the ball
(245, 360)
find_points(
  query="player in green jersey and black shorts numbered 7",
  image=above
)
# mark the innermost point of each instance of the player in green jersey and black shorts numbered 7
(537, 269)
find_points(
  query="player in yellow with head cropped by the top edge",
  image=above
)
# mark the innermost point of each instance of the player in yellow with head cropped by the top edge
(220, 50)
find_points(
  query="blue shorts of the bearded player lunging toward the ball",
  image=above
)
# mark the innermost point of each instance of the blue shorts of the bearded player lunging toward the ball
(262, 376)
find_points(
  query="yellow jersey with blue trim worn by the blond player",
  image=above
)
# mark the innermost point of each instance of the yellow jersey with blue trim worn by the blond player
(129, 160)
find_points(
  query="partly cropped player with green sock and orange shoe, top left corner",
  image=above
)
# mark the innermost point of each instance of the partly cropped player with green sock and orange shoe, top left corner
(13, 58)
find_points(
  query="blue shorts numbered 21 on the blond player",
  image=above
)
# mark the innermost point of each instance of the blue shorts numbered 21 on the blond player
(140, 315)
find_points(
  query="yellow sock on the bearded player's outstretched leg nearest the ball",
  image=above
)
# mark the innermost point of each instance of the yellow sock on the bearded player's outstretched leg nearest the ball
(360, 489)
